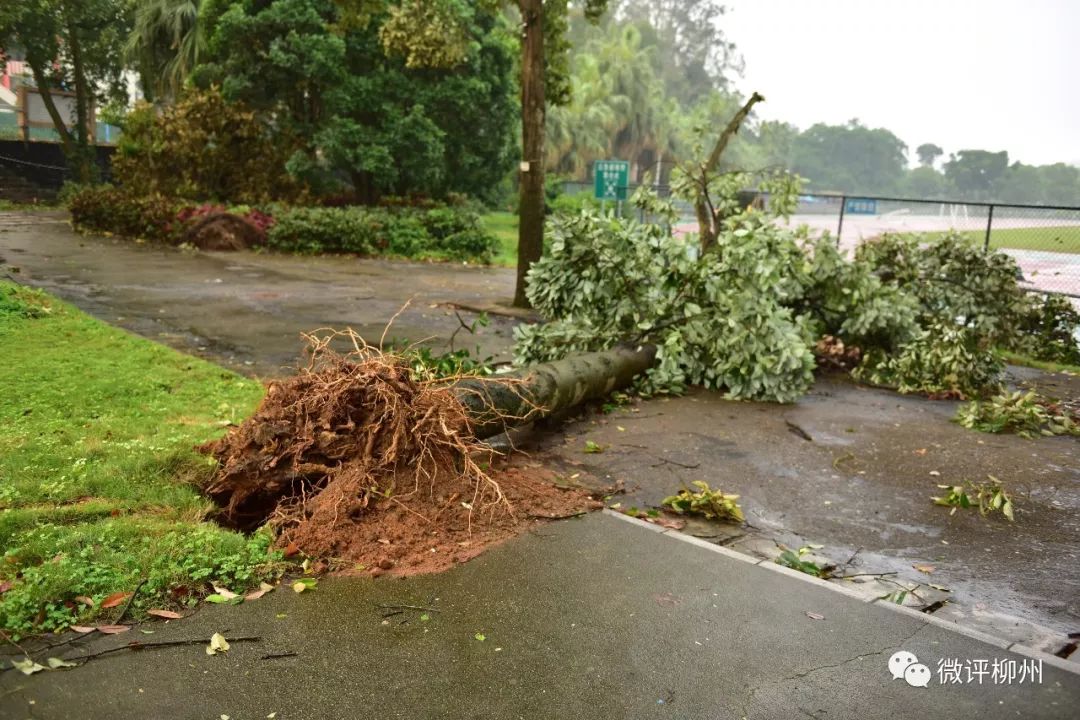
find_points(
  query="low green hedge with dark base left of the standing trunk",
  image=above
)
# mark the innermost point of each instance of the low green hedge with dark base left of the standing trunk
(444, 234)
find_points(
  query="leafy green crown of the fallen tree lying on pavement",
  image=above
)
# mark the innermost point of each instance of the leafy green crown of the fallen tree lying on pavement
(746, 317)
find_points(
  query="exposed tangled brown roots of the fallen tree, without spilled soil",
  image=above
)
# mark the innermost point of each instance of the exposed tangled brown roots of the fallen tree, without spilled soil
(349, 433)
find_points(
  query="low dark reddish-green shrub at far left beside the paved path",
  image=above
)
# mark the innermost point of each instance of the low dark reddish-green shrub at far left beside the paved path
(105, 209)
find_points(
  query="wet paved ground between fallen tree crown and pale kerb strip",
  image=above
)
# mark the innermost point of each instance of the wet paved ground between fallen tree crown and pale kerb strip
(861, 486)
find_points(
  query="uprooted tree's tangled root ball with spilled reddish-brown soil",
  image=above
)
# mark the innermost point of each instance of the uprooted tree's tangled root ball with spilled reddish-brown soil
(354, 459)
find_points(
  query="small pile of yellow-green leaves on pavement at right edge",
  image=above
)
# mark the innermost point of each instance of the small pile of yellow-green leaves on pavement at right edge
(1028, 415)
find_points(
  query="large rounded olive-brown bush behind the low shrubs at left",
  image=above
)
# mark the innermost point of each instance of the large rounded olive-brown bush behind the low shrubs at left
(204, 148)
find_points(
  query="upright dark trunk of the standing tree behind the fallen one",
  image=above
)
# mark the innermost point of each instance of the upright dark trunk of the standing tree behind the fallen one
(532, 206)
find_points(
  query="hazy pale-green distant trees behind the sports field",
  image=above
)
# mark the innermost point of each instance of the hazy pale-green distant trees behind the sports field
(652, 81)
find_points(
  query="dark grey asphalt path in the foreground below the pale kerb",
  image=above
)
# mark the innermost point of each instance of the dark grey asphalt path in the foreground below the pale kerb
(597, 618)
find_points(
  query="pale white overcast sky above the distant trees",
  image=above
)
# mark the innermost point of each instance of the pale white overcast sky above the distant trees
(993, 75)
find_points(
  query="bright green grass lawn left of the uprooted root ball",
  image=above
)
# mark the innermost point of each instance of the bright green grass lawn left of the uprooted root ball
(98, 470)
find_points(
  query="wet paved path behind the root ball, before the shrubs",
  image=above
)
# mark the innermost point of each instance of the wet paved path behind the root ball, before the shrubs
(247, 310)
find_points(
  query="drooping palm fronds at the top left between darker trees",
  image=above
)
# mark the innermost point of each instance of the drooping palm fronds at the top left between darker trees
(166, 45)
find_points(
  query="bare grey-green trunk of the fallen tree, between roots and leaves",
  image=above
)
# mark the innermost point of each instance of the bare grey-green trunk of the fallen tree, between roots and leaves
(499, 403)
